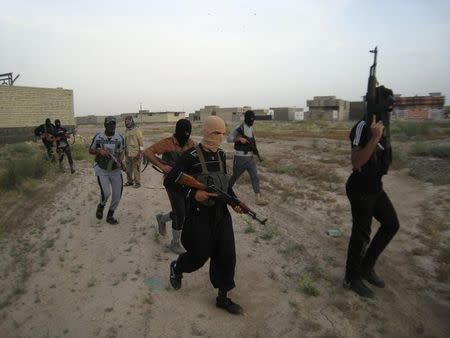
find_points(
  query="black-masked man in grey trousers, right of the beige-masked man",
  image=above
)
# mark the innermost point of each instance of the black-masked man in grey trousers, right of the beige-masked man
(245, 152)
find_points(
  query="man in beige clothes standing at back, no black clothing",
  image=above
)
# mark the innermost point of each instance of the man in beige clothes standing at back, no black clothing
(134, 145)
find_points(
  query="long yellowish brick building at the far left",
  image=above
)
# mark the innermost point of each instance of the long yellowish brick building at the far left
(22, 109)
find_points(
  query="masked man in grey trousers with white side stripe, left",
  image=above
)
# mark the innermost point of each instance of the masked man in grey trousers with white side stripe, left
(108, 148)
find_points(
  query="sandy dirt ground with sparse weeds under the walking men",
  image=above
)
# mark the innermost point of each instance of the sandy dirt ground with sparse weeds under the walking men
(66, 274)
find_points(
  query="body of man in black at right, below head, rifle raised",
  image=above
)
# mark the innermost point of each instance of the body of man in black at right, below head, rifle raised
(371, 157)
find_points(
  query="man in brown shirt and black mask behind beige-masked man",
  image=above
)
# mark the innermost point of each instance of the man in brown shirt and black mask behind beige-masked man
(170, 149)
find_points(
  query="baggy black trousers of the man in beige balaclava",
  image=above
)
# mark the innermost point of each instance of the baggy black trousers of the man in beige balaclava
(208, 233)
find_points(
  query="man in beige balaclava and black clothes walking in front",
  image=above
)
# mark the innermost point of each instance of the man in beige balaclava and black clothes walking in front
(208, 229)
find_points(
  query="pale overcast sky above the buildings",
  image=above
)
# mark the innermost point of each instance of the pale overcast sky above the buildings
(182, 55)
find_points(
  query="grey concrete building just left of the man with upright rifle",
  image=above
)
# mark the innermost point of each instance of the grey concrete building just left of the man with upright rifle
(328, 108)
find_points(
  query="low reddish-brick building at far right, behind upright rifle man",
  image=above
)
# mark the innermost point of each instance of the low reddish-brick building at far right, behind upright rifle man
(429, 107)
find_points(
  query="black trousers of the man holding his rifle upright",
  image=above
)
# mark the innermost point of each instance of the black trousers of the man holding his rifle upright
(363, 253)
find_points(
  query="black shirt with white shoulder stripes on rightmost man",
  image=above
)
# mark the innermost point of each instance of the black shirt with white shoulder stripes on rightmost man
(368, 178)
